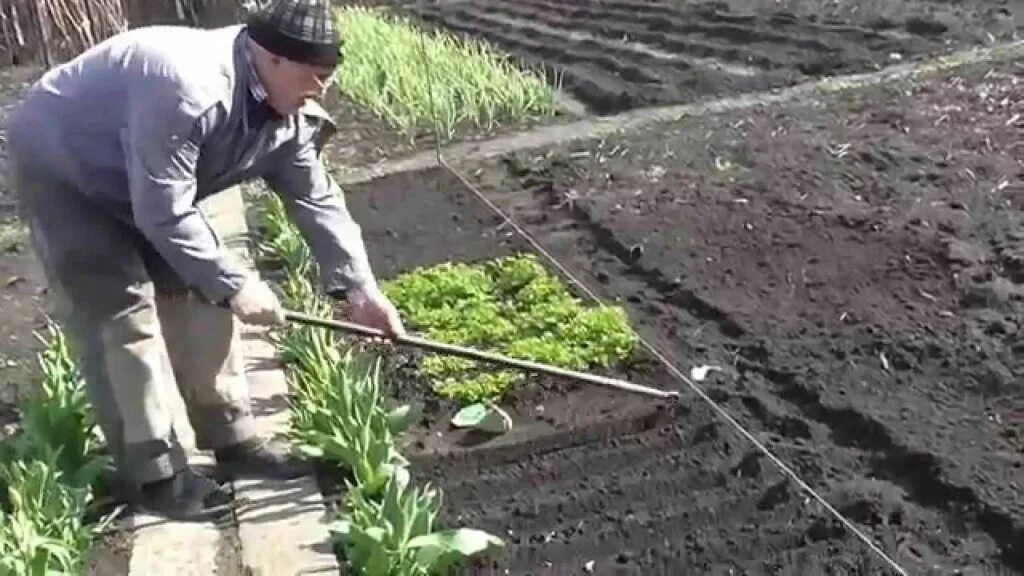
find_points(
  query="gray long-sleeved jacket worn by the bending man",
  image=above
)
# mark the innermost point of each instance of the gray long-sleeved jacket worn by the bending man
(155, 119)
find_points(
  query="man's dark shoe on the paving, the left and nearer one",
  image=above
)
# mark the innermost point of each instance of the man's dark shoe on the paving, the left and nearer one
(189, 497)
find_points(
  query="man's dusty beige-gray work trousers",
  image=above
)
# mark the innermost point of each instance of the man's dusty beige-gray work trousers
(137, 326)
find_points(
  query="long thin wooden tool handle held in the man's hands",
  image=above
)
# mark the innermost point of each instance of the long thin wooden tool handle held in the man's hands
(473, 354)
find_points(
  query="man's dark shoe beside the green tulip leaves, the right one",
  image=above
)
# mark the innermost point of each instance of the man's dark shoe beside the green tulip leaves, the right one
(261, 457)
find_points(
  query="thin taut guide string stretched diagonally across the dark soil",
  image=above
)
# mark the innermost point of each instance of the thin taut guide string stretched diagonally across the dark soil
(722, 413)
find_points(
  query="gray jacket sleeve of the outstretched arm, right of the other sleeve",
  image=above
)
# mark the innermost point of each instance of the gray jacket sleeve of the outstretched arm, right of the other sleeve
(316, 204)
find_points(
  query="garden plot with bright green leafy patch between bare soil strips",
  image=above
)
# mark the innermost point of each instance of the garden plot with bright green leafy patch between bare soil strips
(442, 255)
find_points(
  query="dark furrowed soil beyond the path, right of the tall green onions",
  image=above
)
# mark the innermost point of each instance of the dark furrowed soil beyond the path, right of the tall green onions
(619, 55)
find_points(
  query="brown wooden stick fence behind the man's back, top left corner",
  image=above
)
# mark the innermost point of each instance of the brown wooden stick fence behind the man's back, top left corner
(46, 32)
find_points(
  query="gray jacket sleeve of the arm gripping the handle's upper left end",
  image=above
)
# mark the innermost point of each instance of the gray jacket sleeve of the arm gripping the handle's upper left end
(162, 143)
